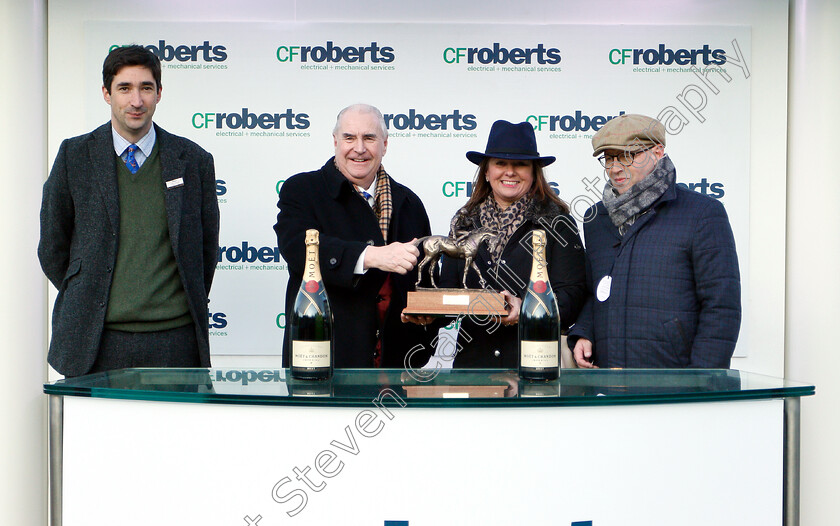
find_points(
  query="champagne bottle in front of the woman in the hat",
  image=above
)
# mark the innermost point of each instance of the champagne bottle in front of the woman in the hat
(539, 321)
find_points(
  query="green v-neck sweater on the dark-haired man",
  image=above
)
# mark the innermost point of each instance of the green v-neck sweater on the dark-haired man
(146, 292)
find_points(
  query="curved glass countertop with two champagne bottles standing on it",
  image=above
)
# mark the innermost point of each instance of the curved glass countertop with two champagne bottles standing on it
(429, 388)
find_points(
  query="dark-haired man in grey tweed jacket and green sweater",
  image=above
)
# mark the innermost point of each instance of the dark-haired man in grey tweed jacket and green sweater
(129, 235)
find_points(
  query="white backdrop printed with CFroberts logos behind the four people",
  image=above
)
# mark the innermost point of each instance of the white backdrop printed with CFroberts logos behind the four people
(262, 97)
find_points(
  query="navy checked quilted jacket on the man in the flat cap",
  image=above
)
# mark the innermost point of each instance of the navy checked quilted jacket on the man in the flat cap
(675, 299)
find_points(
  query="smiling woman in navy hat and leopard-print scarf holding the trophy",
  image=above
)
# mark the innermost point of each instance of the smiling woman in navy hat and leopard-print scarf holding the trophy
(512, 197)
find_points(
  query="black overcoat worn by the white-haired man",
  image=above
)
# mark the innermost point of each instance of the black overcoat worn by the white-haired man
(326, 201)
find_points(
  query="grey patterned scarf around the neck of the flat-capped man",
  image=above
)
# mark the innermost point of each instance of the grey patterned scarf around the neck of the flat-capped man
(625, 208)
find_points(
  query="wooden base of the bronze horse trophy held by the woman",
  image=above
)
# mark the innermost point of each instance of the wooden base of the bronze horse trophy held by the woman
(455, 302)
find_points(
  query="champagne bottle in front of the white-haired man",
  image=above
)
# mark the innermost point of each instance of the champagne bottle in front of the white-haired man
(311, 323)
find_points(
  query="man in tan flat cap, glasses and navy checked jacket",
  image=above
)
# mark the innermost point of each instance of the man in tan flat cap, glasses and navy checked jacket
(661, 262)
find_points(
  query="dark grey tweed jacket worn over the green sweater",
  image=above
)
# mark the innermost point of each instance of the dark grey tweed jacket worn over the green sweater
(80, 224)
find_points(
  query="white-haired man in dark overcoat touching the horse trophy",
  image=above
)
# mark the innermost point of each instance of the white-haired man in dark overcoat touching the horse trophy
(367, 222)
